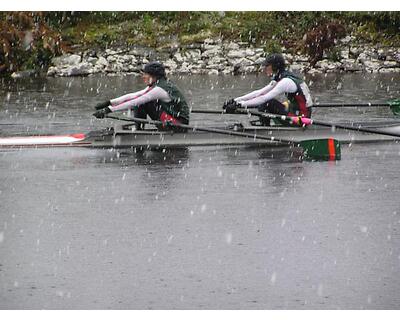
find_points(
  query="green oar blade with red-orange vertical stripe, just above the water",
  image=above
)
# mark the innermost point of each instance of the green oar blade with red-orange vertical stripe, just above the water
(321, 149)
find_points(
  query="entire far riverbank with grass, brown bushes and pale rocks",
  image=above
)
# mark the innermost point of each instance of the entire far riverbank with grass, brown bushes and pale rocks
(196, 42)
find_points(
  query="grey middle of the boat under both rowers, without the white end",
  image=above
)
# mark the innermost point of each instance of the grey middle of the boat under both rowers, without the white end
(156, 139)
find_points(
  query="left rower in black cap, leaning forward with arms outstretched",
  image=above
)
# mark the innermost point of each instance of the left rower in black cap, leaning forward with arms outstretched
(161, 100)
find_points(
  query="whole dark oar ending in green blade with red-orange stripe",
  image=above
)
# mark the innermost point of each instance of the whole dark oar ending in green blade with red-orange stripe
(314, 149)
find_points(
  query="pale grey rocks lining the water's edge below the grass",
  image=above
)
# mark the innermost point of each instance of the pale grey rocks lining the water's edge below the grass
(218, 57)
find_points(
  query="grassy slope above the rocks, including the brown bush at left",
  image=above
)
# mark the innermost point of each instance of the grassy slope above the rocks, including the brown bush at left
(63, 31)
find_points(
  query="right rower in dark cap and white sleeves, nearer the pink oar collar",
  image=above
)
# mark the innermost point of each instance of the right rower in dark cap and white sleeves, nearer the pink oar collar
(297, 100)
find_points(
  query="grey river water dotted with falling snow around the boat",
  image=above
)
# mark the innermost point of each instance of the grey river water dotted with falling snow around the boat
(200, 228)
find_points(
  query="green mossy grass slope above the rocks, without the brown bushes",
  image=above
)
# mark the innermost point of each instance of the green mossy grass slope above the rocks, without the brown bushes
(269, 28)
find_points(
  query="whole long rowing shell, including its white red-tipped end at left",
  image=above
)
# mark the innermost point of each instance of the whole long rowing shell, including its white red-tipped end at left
(152, 139)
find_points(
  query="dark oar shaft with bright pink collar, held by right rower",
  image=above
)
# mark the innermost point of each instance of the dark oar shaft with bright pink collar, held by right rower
(308, 121)
